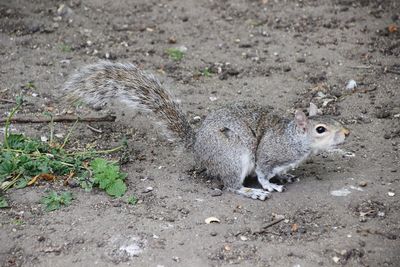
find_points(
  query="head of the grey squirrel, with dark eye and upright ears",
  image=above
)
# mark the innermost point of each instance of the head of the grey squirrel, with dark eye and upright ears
(323, 132)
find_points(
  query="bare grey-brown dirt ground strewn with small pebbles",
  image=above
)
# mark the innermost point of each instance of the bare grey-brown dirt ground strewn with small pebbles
(342, 210)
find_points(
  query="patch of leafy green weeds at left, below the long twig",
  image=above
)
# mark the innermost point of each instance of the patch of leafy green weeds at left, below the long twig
(25, 161)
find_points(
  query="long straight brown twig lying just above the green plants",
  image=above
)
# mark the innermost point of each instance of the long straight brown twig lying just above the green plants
(59, 119)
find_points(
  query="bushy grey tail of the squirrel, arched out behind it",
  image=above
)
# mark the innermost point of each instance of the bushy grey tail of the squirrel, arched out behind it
(100, 83)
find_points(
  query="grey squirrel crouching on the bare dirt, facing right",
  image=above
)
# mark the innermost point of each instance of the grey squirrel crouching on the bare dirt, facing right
(232, 143)
